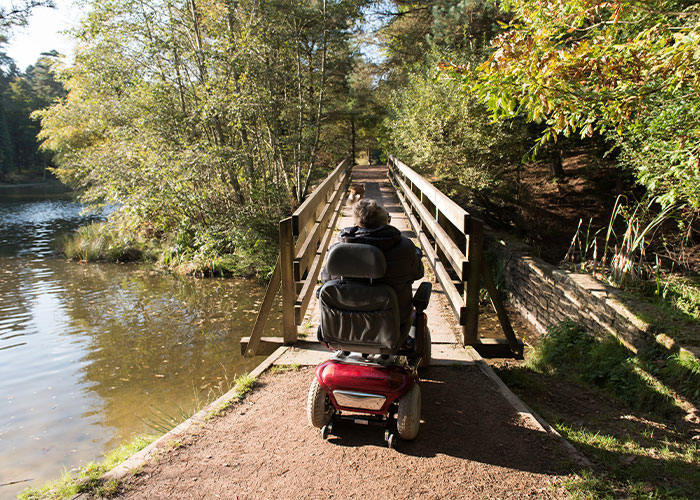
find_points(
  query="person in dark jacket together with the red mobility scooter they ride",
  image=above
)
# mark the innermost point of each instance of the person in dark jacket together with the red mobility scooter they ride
(375, 325)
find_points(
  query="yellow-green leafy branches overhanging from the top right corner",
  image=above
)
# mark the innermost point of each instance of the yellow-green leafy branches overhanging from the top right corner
(626, 69)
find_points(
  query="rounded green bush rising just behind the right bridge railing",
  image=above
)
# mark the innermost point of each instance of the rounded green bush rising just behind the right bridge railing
(435, 126)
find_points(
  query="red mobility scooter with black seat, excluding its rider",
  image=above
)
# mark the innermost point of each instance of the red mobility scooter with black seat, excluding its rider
(372, 378)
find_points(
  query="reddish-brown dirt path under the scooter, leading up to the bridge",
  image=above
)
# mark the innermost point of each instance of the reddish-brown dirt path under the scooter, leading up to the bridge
(472, 444)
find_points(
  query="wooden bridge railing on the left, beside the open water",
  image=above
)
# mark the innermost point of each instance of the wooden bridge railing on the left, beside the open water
(304, 240)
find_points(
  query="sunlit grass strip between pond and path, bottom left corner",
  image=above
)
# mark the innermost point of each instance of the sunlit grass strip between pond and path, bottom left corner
(87, 479)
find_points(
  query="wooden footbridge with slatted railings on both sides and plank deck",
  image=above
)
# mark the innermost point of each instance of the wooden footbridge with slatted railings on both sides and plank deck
(452, 241)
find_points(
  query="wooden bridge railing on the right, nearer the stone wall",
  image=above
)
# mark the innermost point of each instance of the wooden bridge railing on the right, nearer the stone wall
(453, 242)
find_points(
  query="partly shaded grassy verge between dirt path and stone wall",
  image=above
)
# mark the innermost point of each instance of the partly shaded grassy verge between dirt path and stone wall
(604, 400)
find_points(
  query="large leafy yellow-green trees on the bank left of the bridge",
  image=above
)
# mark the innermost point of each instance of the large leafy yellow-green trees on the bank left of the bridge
(202, 121)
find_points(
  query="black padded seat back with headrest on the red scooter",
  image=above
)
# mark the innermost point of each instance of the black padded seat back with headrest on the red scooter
(356, 313)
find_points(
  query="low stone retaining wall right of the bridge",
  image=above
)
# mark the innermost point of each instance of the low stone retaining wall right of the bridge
(546, 295)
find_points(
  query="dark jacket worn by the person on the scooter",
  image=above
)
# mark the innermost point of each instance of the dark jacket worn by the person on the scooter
(403, 263)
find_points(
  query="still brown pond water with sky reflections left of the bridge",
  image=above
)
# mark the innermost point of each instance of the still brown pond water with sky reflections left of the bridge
(92, 354)
